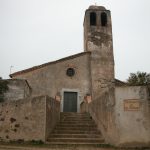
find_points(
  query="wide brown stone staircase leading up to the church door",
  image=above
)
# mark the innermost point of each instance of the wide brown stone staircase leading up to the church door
(75, 128)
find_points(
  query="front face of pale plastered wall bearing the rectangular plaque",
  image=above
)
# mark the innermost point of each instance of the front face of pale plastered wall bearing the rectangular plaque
(132, 111)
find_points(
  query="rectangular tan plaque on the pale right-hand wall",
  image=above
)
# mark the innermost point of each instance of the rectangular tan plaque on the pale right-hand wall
(131, 105)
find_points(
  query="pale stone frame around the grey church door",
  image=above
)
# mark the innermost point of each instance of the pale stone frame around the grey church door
(62, 99)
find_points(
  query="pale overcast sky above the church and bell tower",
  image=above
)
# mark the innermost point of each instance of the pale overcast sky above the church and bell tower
(33, 32)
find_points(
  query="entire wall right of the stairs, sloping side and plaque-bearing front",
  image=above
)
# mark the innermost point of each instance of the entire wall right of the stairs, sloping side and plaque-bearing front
(123, 118)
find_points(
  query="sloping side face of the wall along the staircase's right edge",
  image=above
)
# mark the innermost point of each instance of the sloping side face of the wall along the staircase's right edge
(102, 111)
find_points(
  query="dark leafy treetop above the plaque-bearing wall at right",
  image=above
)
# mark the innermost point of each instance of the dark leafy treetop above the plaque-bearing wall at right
(139, 78)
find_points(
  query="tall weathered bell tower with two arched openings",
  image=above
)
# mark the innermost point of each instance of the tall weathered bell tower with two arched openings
(98, 40)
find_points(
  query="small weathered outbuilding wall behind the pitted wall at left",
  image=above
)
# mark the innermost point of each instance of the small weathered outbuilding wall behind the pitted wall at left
(17, 89)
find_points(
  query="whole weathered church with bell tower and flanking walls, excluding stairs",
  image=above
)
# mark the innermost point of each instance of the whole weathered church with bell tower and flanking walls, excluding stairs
(79, 83)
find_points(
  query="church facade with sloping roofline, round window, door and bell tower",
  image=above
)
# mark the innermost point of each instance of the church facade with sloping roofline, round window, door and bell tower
(86, 74)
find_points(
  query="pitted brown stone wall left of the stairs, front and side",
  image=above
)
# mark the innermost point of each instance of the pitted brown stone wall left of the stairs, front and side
(27, 119)
